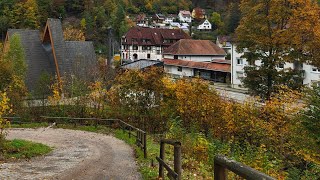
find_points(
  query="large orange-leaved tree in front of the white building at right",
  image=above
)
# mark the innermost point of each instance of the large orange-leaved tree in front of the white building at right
(277, 32)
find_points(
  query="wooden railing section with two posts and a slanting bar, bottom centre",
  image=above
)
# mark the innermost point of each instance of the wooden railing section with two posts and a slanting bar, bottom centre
(172, 174)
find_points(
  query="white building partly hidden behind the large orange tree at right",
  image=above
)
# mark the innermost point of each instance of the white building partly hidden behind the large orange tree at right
(311, 74)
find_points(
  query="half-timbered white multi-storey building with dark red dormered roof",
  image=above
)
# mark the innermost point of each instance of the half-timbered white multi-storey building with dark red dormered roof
(148, 43)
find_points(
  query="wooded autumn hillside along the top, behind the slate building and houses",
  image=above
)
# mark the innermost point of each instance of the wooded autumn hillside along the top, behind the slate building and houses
(94, 17)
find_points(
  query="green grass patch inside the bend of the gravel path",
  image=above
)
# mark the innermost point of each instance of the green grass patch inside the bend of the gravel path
(24, 149)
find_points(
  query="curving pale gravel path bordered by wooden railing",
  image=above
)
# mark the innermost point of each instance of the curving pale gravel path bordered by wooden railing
(76, 155)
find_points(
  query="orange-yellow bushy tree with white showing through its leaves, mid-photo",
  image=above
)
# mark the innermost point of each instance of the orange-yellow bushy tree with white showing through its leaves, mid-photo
(137, 95)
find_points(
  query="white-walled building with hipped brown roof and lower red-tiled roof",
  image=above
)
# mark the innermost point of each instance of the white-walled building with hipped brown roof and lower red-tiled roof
(203, 58)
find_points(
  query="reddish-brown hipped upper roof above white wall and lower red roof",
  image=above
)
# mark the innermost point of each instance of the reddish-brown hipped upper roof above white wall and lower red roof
(194, 47)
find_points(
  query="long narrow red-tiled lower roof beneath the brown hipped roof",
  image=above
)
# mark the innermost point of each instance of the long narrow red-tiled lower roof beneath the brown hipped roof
(212, 66)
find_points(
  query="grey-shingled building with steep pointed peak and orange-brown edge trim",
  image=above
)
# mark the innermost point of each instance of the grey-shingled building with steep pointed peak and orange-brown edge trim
(53, 55)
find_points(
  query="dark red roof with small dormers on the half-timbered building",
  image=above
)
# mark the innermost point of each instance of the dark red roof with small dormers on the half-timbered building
(156, 36)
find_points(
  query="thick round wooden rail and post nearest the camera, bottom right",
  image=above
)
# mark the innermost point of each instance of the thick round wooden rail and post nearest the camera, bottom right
(222, 164)
